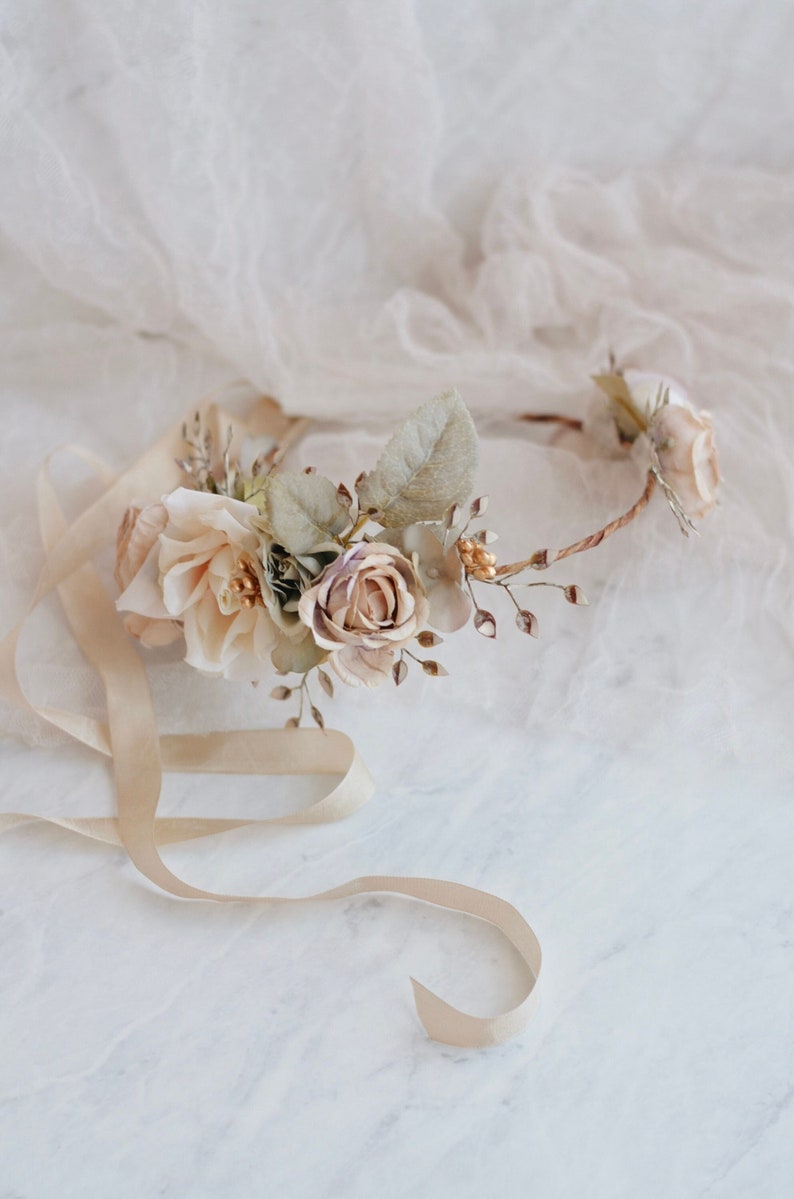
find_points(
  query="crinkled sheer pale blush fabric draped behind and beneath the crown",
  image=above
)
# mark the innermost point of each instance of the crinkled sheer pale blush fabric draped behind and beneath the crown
(342, 204)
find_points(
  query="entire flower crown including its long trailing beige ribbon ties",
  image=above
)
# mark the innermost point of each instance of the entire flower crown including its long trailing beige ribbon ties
(262, 570)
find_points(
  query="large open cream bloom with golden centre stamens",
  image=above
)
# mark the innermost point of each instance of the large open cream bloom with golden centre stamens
(208, 547)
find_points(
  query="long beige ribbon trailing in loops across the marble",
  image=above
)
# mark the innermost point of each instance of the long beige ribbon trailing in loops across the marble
(140, 754)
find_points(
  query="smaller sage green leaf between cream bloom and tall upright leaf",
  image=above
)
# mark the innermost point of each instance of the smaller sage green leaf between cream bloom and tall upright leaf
(303, 511)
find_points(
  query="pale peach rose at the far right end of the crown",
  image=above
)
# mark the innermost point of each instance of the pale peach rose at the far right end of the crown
(687, 454)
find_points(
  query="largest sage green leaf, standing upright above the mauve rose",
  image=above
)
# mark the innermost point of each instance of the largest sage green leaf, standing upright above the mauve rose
(428, 466)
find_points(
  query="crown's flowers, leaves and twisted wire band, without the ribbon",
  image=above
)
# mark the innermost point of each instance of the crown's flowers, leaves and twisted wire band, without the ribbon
(260, 567)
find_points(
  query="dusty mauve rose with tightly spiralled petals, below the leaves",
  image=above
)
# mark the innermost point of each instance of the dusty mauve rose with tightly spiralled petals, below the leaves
(366, 605)
